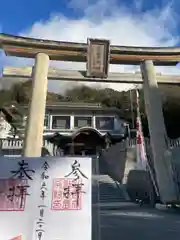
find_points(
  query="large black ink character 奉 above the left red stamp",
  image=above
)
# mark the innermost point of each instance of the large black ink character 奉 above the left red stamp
(23, 172)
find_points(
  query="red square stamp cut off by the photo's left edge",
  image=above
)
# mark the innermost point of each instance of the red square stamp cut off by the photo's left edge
(13, 194)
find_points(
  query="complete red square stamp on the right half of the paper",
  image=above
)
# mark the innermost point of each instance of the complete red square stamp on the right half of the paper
(67, 194)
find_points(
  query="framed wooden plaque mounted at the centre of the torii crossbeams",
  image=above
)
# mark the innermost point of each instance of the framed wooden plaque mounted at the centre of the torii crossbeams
(98, 58)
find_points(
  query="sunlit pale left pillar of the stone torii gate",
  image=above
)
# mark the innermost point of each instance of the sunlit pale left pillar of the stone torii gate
(35, 122)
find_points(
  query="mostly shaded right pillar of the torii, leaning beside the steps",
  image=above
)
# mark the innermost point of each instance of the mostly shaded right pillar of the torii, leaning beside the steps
(158, 135)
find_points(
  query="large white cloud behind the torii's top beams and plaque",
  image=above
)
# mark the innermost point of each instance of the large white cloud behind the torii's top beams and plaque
(100, 19)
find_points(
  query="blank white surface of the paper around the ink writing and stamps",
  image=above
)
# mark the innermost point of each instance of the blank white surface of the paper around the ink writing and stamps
(58, 224)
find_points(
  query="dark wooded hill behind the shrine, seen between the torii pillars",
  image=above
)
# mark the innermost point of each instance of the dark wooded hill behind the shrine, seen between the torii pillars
(21, 93)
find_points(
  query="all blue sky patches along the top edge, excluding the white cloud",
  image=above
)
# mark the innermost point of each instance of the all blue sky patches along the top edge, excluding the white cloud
(19, 15)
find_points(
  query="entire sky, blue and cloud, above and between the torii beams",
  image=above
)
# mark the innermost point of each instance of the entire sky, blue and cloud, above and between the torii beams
(146, 23)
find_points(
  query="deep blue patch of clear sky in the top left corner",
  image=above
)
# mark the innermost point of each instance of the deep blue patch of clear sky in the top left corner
(20, 14)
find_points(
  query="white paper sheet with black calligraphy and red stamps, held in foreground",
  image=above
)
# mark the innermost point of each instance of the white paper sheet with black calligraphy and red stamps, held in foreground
(45, 198)
